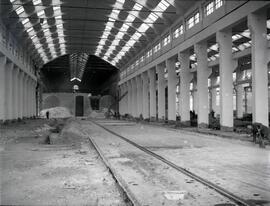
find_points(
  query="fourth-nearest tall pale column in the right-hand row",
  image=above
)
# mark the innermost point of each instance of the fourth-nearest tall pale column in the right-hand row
(185, 78)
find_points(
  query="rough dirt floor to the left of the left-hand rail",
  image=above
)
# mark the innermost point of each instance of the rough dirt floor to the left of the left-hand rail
(36, 173)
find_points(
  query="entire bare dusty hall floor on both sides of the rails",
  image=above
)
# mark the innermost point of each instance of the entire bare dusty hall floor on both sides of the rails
(71, 173)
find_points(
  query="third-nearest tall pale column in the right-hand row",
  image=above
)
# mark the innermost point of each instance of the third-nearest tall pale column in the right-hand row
(202, 83)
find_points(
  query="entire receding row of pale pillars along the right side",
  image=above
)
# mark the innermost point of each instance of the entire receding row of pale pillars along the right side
(141, 98)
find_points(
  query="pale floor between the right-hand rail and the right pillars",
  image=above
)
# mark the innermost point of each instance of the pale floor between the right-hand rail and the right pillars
(240, 167)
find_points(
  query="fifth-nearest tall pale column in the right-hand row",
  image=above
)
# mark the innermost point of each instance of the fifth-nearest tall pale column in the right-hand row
(172, 81)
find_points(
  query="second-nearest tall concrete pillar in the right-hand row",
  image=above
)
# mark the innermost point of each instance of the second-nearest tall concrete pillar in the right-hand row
(226, 67)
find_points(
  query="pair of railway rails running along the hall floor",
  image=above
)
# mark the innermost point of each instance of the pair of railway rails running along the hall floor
(234, 198)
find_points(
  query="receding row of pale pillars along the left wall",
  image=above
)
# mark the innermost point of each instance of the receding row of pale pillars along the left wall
(17, 92)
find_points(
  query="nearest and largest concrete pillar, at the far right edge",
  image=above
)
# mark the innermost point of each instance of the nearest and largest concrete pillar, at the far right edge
(259, 52)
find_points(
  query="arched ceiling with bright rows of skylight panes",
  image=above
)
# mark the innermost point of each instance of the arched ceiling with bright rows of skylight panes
(114, 30)
